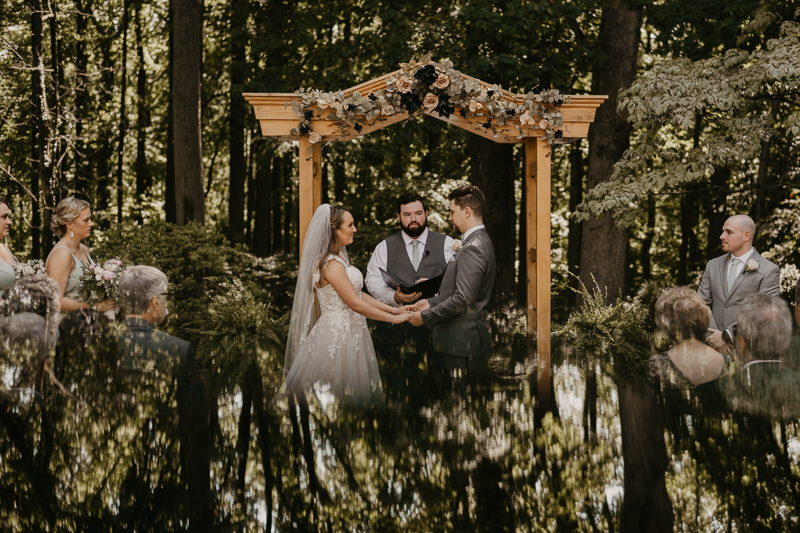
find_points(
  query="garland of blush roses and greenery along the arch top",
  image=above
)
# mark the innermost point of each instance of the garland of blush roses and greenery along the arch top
(428, 87)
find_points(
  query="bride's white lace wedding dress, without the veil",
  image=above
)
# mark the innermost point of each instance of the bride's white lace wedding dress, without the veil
(337, 355)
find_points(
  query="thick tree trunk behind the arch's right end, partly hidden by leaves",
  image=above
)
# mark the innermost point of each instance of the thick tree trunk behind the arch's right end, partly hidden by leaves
(604, 246)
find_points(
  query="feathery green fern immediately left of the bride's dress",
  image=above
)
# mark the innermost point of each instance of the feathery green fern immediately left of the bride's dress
(239, 331)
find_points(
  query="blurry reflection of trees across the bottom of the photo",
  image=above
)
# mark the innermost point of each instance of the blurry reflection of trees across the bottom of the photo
(132, 435)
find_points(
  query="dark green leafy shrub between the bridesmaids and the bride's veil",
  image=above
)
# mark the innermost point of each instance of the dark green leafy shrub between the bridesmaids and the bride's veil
(191, 256)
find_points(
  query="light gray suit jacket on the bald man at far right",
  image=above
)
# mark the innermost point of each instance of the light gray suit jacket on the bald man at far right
(725, 305)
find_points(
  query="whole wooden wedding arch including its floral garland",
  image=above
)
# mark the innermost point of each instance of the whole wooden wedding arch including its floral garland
(537, 121)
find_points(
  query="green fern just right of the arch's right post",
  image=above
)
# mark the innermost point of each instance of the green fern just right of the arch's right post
(616, 333)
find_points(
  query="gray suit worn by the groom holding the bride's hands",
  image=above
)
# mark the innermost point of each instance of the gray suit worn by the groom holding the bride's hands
(457, 314)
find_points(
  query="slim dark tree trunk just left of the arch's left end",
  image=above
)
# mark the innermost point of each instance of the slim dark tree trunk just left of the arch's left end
(236, 119)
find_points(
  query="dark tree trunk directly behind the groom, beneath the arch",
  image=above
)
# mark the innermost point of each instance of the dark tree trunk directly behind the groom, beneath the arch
(492, 170)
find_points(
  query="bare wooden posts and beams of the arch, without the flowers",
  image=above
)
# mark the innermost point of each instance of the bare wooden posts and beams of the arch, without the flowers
(277, 118)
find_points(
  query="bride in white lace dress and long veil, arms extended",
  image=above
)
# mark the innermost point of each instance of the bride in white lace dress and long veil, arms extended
(333, 351)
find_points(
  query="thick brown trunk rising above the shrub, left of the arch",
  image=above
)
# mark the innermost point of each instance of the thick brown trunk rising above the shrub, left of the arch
(187, 25)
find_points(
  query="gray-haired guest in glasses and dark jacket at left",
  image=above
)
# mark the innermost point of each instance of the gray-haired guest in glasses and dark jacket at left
(143, 299)
